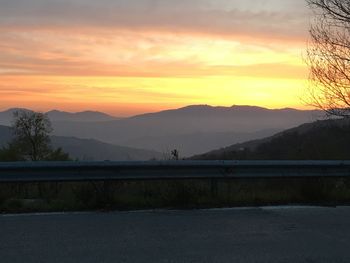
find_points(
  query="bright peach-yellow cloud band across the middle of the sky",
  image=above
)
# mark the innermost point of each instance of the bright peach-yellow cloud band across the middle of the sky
(141, 55)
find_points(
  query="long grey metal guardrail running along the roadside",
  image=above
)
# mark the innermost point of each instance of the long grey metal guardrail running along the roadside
(153, 170)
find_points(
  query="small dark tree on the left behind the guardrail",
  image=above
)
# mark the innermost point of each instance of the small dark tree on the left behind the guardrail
(31, 131)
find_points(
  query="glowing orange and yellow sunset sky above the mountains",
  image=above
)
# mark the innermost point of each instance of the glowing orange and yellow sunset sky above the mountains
(126, 57)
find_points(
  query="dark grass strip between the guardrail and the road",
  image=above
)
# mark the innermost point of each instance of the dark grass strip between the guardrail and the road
(174, 194)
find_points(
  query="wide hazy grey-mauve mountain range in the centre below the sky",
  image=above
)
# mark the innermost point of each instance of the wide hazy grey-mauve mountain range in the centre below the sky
(192, 130)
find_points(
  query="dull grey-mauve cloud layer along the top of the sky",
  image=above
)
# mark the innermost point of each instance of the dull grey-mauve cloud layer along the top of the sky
(257, 17)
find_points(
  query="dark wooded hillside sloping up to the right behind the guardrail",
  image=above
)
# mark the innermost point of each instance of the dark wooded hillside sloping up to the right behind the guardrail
(321, 140)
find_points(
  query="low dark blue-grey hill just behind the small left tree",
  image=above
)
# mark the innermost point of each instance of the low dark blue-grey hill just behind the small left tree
(91, 150)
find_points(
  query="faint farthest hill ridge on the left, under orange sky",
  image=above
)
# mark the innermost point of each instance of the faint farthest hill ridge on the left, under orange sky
(58, 116)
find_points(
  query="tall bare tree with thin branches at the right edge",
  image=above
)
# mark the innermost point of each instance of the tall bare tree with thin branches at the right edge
(328, 57)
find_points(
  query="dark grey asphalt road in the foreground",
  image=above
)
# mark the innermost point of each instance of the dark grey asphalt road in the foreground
(237, 235)
